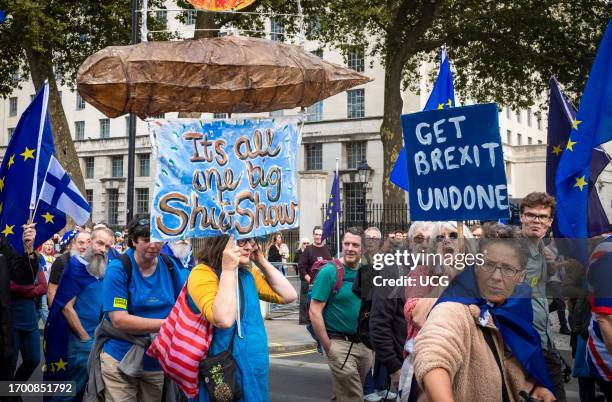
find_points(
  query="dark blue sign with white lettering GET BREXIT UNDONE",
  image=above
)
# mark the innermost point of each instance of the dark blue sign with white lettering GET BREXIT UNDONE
(456, 164)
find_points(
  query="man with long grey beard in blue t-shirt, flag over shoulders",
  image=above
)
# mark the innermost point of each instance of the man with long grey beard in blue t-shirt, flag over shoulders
(79, 299)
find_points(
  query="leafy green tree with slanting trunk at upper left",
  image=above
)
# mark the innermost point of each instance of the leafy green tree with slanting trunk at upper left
(48, 40)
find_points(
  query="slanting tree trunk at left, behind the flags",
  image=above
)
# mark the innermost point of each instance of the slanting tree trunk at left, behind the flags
(41, 68)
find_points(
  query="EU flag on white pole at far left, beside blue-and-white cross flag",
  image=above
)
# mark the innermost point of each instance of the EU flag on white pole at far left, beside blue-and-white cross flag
(22, 174)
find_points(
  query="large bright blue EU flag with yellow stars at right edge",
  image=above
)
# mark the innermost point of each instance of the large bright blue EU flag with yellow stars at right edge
(591, 127)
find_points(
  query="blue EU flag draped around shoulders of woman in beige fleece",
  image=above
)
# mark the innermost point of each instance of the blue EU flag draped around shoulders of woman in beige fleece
(513, 318)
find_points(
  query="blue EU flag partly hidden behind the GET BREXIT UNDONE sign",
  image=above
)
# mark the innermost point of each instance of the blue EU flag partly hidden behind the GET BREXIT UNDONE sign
(442, 96)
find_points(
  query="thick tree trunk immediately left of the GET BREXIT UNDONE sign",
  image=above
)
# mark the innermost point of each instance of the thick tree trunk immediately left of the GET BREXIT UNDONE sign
(390, 130)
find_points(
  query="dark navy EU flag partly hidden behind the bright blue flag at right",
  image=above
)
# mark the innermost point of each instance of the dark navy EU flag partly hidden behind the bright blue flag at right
(561, 114)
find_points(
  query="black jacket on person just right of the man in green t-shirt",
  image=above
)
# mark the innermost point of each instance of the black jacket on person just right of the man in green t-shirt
(388, 330)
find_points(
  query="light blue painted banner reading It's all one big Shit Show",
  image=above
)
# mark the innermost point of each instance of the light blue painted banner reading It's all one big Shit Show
(224, 177)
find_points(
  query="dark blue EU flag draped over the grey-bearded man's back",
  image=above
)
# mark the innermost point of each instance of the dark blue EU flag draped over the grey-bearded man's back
(75, 278)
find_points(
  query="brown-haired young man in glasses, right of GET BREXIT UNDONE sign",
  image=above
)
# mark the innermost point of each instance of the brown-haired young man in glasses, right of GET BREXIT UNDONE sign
(537, 211)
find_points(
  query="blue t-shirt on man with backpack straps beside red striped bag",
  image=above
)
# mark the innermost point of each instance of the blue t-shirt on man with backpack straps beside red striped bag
(149, 297)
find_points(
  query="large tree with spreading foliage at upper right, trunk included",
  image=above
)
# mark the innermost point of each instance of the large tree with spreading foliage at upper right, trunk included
(502, 50)
